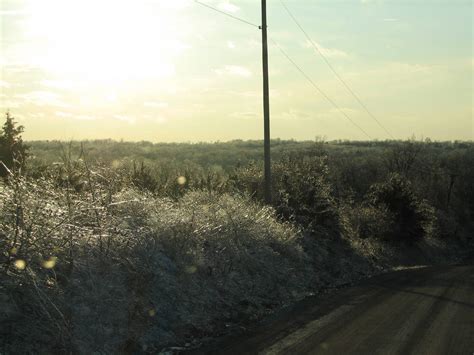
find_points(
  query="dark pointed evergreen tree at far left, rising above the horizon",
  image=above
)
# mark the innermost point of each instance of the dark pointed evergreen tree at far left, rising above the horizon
(13, 151)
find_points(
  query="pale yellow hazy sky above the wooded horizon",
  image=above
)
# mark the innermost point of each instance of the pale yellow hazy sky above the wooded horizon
(177, 71)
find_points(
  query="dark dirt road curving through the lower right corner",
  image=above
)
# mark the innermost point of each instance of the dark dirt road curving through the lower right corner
(417, 311)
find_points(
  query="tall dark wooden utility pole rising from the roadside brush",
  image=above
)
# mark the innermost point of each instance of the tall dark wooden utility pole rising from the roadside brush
(266, 107)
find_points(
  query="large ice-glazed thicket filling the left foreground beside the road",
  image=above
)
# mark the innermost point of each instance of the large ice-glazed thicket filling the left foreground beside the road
(105, 270)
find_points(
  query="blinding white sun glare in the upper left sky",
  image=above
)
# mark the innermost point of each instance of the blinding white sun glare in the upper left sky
(106, 41)
